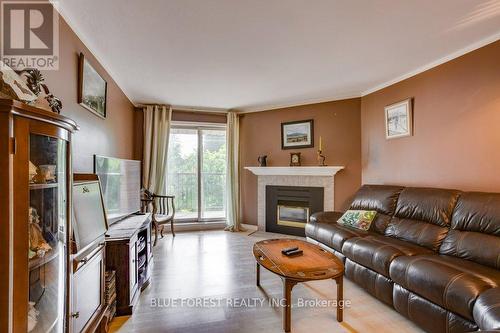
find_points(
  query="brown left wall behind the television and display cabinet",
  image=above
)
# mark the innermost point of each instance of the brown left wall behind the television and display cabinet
(113, 136)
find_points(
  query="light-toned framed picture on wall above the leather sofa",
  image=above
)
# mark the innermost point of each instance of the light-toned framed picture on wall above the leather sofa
(399, 119)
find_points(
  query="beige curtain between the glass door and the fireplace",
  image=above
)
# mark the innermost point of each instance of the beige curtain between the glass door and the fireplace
(233, 190)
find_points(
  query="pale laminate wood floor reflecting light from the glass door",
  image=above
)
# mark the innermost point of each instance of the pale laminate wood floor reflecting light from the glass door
(219, 266)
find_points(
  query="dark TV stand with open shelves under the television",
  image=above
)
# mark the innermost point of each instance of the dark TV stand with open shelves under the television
(129, 252)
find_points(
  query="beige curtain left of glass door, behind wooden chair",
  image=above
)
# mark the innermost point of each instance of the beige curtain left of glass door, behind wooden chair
(156, 133)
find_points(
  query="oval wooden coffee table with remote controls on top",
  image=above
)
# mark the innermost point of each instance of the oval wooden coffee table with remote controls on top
(314, 264)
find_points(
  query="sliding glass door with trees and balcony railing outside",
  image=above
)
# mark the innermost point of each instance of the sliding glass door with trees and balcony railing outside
(197, 172)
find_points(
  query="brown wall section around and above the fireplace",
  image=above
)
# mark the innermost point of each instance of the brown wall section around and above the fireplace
(337, 122)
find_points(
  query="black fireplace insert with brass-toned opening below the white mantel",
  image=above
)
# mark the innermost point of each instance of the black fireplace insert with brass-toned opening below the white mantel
(288, 208)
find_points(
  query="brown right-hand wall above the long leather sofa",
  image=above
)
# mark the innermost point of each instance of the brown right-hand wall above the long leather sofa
(456, 127)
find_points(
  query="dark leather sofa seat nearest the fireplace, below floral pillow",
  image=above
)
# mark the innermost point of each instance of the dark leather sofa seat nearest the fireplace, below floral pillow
(323, 227)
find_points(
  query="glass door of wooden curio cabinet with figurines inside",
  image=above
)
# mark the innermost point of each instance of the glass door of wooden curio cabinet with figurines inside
(47, 253)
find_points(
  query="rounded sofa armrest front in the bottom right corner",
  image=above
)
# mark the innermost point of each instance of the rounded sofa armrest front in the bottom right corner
(486, 310)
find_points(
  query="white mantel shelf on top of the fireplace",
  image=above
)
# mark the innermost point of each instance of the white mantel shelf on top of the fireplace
(326, 171)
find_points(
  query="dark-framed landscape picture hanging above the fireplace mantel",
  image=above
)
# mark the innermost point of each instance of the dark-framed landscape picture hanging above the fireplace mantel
(297, 134)
